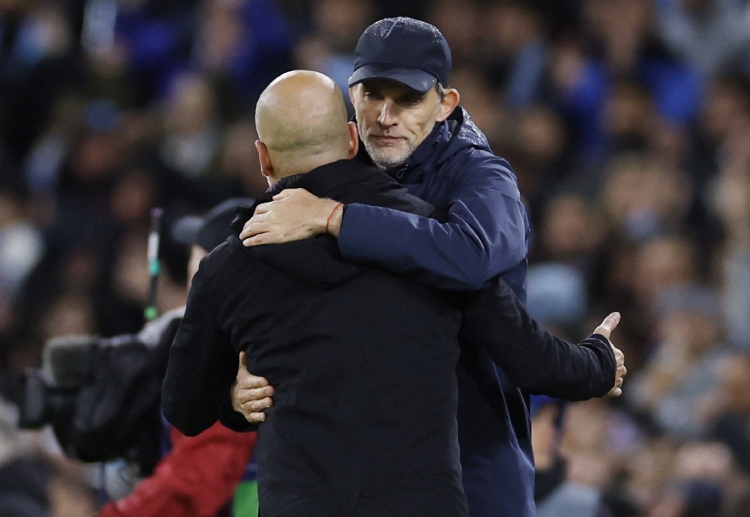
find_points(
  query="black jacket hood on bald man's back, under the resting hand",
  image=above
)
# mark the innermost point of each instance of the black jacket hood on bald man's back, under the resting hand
(317, 260)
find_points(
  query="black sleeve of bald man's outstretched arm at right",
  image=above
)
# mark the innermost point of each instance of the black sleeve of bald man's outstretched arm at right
(531, 357)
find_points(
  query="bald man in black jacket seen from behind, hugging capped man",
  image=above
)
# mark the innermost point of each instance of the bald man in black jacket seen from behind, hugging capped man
(362, 361)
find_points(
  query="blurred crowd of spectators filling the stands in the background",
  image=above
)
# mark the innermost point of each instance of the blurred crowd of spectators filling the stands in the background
(626, 122)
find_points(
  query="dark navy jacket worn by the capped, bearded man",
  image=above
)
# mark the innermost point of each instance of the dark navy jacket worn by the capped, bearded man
(486, 235)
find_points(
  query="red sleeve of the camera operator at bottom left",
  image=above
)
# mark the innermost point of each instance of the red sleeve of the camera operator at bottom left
(197, 478)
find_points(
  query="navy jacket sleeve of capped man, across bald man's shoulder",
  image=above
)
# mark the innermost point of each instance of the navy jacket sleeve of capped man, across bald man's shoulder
(485, 234)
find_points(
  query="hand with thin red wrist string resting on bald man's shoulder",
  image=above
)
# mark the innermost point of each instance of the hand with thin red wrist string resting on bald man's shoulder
(294, 214)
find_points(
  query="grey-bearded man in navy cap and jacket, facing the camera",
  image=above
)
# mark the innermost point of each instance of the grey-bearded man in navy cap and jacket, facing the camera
(412, 127)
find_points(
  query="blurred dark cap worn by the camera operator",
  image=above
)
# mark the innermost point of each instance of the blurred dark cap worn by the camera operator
(210, 230)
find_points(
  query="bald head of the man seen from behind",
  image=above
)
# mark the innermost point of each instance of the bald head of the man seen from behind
(301, 121)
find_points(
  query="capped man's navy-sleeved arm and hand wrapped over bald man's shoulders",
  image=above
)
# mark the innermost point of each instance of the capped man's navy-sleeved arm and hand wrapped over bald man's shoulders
(484, 233)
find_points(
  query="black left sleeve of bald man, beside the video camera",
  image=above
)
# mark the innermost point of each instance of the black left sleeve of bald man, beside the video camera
(202, 363)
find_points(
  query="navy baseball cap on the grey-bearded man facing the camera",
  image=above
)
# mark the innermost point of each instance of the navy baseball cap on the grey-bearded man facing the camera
(409, 51)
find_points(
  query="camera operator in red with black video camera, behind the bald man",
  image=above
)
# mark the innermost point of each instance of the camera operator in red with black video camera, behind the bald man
(102, 398)
